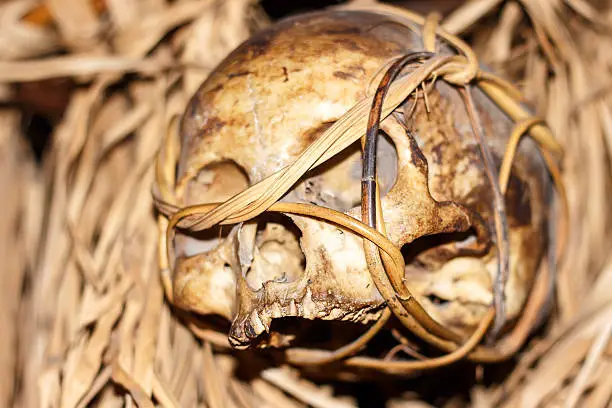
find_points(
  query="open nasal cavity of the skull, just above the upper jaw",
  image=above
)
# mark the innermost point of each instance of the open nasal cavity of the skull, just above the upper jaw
(276, 254)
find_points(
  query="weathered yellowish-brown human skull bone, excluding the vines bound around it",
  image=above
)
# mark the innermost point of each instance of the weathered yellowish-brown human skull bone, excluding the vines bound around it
(269, 100)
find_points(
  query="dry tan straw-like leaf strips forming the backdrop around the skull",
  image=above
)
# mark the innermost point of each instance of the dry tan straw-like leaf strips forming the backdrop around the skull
(83, 312)
